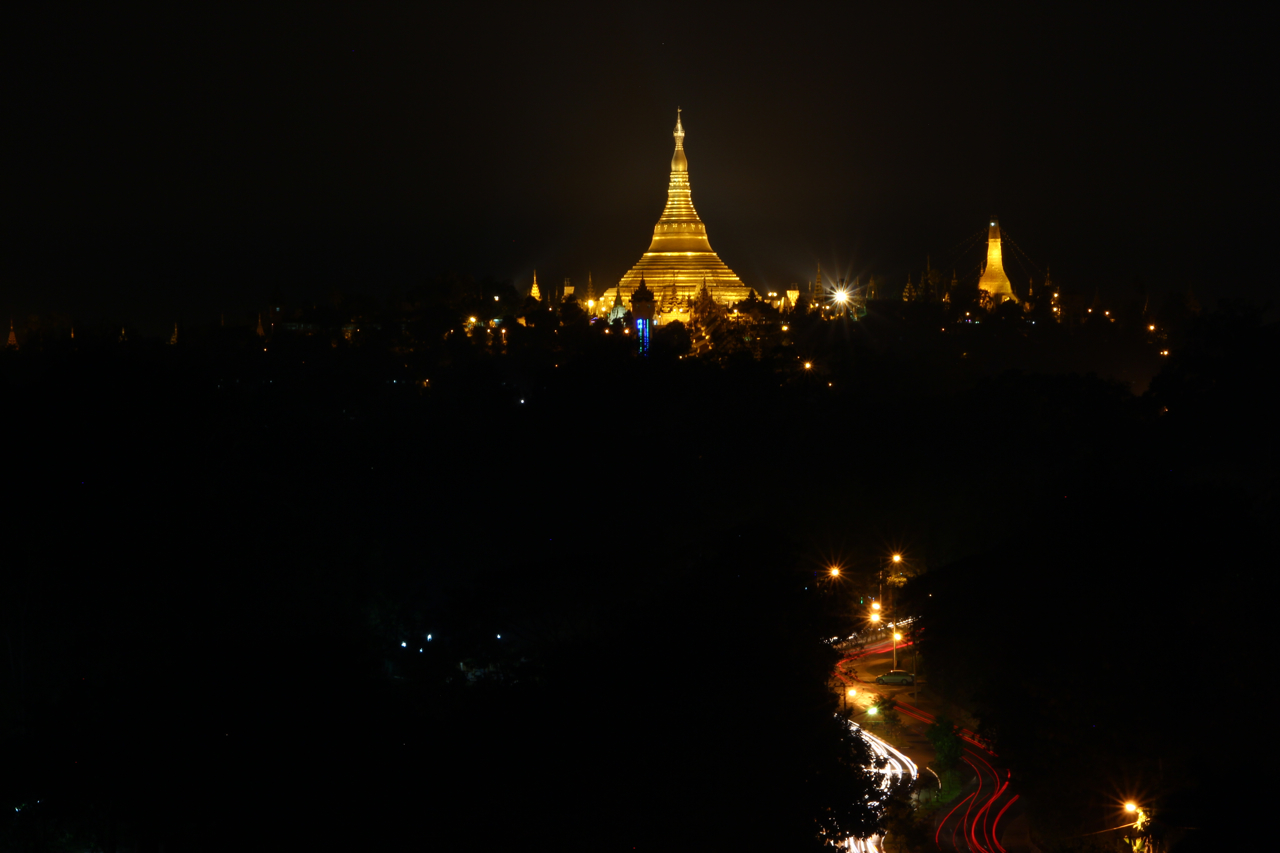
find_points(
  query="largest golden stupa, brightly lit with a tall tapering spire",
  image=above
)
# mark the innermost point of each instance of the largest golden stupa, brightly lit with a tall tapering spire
(680, 259)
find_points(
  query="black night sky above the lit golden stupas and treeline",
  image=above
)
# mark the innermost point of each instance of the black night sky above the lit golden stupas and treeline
(182, 163)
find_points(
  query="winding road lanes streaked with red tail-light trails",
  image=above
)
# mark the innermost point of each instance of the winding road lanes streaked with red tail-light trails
(979, 820)
